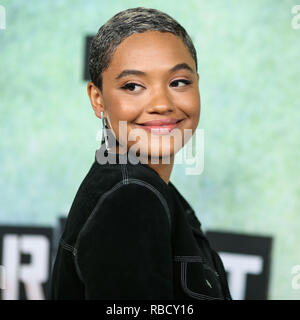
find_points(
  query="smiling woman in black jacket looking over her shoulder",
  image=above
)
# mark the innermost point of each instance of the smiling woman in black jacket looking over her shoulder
(130, 234)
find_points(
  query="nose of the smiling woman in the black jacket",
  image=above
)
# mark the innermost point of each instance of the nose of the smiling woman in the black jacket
(160, 102)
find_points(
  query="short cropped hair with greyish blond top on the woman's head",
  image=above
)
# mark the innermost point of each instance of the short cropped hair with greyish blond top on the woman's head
(124, 24)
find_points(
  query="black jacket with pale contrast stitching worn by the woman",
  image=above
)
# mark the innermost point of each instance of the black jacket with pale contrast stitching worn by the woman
(129, 235)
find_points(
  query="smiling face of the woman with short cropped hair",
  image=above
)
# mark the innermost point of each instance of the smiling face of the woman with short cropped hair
(152, 76)
